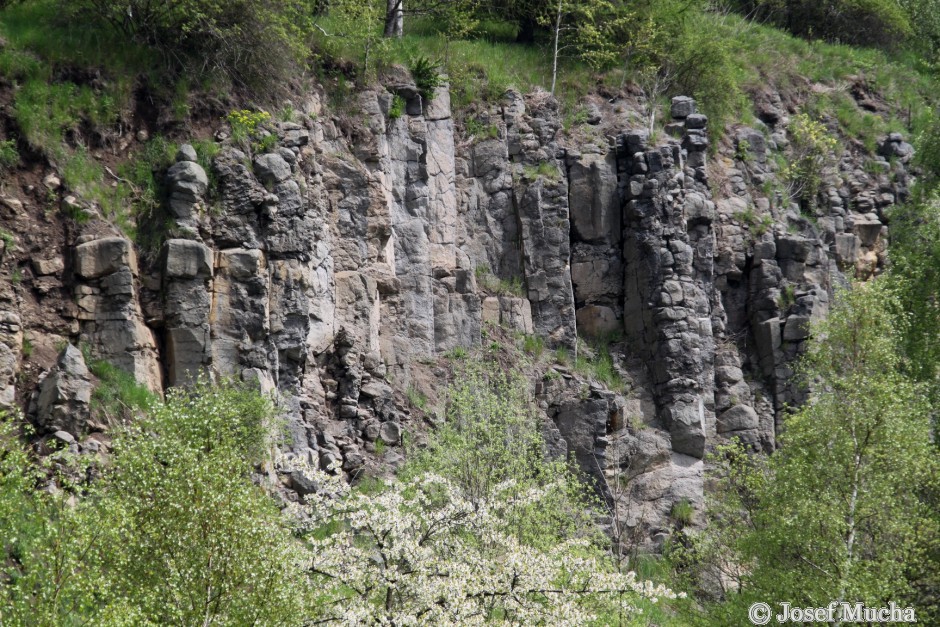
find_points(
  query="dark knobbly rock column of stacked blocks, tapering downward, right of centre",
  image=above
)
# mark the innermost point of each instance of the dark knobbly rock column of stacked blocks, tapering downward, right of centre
(668, 253)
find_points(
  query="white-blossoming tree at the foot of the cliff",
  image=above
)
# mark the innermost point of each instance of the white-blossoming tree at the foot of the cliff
(421, 553)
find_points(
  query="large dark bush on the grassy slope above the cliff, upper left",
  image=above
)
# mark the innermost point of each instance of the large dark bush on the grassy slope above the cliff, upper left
(252, 42)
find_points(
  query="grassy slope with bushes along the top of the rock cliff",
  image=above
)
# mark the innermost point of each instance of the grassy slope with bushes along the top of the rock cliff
(79, 75)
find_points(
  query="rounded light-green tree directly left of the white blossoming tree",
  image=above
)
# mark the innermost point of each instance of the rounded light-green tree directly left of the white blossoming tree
(201, 543)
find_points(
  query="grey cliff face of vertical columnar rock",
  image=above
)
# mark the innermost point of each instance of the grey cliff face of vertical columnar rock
(339, 267)
